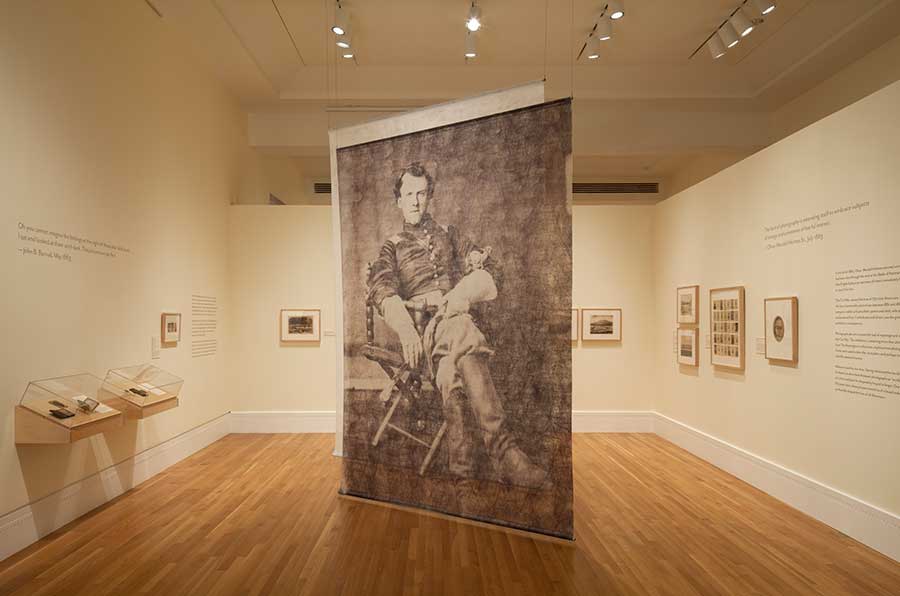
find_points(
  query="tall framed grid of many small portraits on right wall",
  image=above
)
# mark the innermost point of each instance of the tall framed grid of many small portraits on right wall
(726, 313)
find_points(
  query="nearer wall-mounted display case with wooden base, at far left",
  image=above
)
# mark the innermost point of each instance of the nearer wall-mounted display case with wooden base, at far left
(65, 409)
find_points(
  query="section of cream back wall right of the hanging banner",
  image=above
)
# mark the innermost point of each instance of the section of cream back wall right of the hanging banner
(612, 267)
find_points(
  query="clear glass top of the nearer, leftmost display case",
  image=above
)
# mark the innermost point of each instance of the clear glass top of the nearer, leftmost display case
(70, 401)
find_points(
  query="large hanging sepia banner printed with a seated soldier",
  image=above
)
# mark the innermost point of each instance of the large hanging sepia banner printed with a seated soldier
(456, 255)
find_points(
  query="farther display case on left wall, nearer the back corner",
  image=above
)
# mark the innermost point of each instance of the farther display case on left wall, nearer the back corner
(143, 390)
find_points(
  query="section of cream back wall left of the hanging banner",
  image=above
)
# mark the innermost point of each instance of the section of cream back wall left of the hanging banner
(281, 257)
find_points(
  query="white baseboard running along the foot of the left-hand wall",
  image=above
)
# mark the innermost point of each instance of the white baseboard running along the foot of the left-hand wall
(30, 523)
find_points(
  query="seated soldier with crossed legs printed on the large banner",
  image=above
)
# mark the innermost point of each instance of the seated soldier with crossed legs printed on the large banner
(436, 266)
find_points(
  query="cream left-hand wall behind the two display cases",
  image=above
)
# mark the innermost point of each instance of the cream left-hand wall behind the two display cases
(108, 133)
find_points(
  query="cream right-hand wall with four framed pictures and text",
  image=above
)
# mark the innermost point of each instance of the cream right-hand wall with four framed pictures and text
(713, 235)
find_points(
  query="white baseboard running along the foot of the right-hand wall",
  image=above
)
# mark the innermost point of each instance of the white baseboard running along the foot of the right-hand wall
(861, 521)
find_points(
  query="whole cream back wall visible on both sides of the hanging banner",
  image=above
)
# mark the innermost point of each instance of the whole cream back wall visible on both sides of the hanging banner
(281, 257)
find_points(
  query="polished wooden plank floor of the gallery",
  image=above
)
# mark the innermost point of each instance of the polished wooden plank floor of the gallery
(259, 514)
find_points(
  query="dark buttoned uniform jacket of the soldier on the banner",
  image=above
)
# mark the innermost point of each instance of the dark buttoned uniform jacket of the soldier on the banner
(420, 259)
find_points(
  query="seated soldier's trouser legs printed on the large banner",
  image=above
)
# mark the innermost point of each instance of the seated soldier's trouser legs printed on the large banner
(459, 353)
